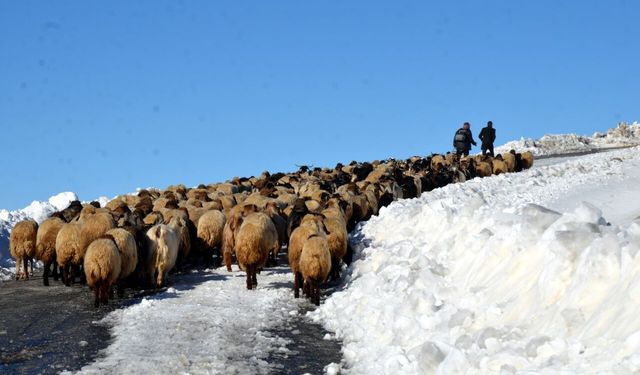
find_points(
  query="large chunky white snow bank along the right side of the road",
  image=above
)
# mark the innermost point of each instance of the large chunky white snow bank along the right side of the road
(481, 278)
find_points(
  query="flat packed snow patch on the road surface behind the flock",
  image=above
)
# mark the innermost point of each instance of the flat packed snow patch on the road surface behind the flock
(205, 323)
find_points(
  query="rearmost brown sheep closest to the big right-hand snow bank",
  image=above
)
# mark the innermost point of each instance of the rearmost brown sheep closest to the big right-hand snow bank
(315, 264)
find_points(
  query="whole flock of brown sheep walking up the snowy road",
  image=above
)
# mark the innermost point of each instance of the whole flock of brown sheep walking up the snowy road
(136, 240)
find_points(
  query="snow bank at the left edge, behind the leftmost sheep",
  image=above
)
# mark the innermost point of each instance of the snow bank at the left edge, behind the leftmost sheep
(37, 211)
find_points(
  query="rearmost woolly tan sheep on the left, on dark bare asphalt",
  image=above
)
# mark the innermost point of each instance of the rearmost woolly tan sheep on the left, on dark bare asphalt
(102, 267)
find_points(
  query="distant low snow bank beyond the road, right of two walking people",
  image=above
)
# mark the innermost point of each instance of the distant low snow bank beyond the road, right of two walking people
(620, 136)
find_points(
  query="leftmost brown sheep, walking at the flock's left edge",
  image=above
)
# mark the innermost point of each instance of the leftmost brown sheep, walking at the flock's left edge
(22, 246)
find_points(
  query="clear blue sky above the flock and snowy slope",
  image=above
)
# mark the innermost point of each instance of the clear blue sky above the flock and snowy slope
(103, 97)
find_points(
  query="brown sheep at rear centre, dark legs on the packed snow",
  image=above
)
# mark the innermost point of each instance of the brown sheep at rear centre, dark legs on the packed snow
(256, 238)
